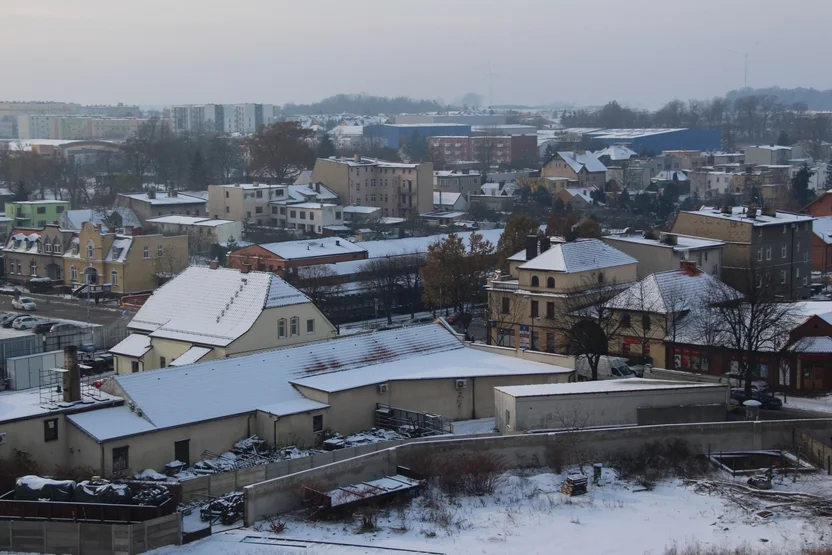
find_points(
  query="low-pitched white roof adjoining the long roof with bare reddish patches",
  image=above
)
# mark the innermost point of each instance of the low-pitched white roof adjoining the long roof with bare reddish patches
(459, 362)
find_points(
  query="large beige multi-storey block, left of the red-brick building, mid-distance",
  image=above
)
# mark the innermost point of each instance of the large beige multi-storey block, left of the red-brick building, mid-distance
(400, 190)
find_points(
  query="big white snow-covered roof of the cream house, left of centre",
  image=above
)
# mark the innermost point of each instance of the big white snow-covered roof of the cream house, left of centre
(212, 307)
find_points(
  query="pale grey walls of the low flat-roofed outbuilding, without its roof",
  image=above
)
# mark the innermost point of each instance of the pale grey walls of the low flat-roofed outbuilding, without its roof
(618, 408)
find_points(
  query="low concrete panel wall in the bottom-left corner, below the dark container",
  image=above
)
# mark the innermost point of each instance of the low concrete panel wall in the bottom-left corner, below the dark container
(90, 538)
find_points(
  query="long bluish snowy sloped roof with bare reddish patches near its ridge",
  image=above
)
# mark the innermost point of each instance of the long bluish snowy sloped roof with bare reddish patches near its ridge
(225, 387)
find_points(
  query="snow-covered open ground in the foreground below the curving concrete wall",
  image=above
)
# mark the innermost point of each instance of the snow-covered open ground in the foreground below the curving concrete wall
(528, 515)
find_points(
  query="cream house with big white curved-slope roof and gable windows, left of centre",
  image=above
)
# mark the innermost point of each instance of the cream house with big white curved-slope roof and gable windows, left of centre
(210, 313)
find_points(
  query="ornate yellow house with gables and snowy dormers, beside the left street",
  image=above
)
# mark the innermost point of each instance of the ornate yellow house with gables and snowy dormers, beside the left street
(124, 263)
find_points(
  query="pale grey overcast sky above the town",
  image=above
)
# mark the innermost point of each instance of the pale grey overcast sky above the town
(641, 52)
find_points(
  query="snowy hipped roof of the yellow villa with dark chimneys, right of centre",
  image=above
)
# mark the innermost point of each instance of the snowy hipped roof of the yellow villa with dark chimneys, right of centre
(579, 256)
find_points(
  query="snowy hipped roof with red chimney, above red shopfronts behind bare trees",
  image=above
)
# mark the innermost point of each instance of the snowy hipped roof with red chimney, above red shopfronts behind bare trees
(672, 291)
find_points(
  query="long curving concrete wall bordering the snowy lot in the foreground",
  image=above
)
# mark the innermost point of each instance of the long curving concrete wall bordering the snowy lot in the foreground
(279, 495)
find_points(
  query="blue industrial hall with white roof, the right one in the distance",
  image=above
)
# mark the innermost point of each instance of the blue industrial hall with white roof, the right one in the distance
(654, 141)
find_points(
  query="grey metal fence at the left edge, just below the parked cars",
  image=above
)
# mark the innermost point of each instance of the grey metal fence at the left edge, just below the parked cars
(103, 337)
